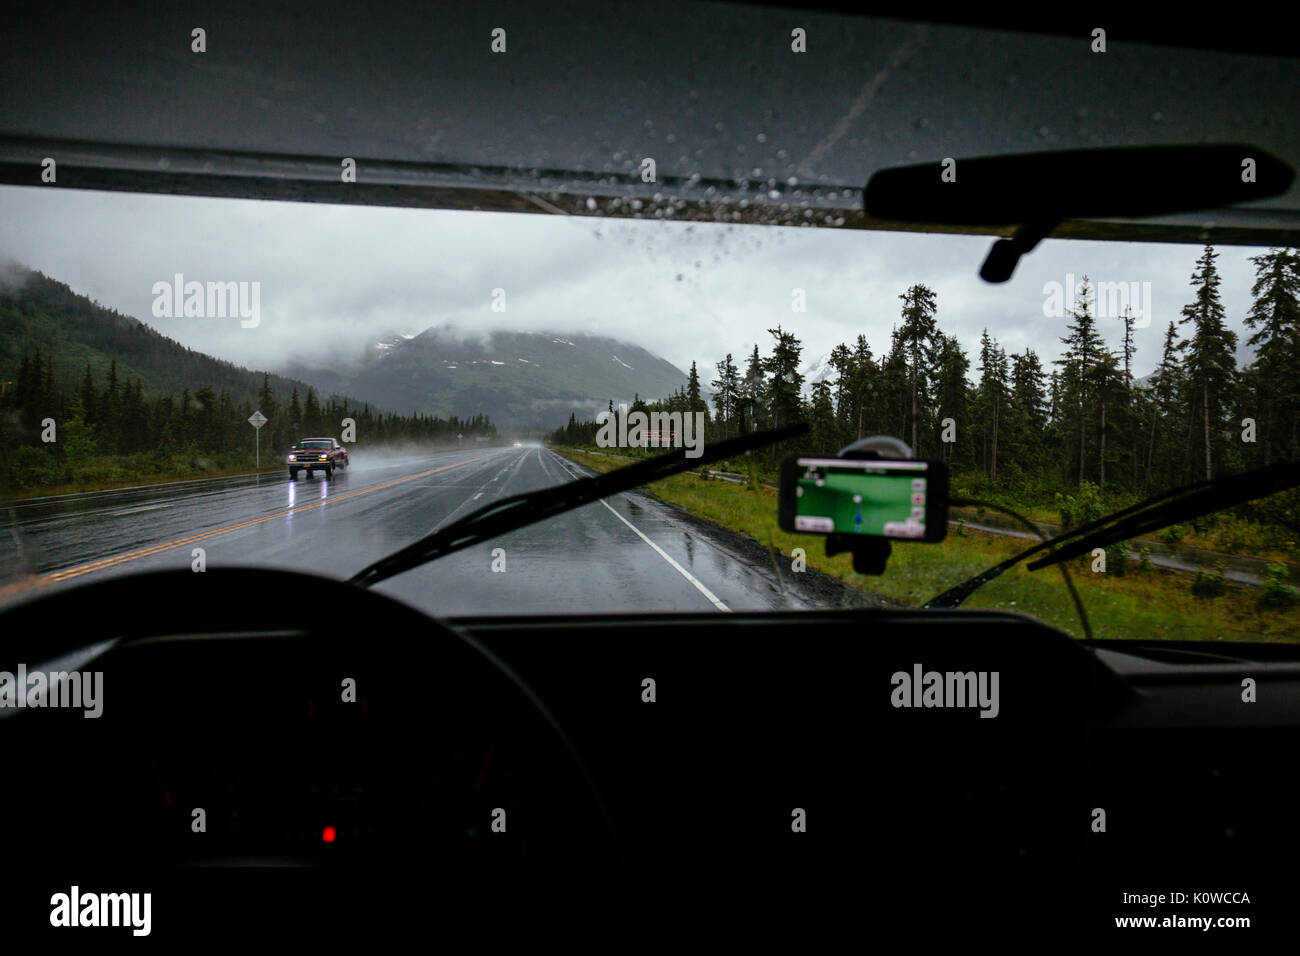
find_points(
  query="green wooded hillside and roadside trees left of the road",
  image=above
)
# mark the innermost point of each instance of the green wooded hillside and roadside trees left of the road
(92, 399)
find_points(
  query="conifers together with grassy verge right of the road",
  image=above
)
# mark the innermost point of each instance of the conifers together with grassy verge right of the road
(1061, 440)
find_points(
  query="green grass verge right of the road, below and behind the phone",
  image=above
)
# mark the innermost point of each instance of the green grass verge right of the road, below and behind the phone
(1143, 604)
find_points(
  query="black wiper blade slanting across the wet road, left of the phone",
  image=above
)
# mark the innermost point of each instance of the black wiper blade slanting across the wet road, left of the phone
(521, 511)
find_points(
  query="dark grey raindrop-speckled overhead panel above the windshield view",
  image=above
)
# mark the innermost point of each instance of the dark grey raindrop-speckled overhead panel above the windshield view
(562, 120)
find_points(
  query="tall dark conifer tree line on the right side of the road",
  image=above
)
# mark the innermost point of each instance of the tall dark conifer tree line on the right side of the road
(1017, 419)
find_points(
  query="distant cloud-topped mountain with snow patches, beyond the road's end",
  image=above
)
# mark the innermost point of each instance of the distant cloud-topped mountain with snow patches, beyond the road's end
(522, 379)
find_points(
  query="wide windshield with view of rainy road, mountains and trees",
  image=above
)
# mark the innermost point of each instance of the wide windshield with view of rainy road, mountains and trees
(465, 358)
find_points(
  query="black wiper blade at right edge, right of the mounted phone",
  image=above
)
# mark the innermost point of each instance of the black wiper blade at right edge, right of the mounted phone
(1159, 512)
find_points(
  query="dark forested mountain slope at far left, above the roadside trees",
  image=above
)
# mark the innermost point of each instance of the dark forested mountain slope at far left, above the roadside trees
(42, 314)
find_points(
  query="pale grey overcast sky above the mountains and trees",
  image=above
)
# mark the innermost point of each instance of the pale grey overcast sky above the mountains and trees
(336, 278)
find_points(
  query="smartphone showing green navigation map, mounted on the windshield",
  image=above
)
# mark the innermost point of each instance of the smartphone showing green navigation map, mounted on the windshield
(861, 499)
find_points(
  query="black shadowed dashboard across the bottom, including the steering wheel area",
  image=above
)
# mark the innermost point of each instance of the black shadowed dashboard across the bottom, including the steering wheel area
(723, 755)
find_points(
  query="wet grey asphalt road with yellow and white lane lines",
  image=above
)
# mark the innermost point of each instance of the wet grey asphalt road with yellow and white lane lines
(623, 555)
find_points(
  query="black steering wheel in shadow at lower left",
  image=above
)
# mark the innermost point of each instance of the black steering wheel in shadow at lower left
(310, 721)
